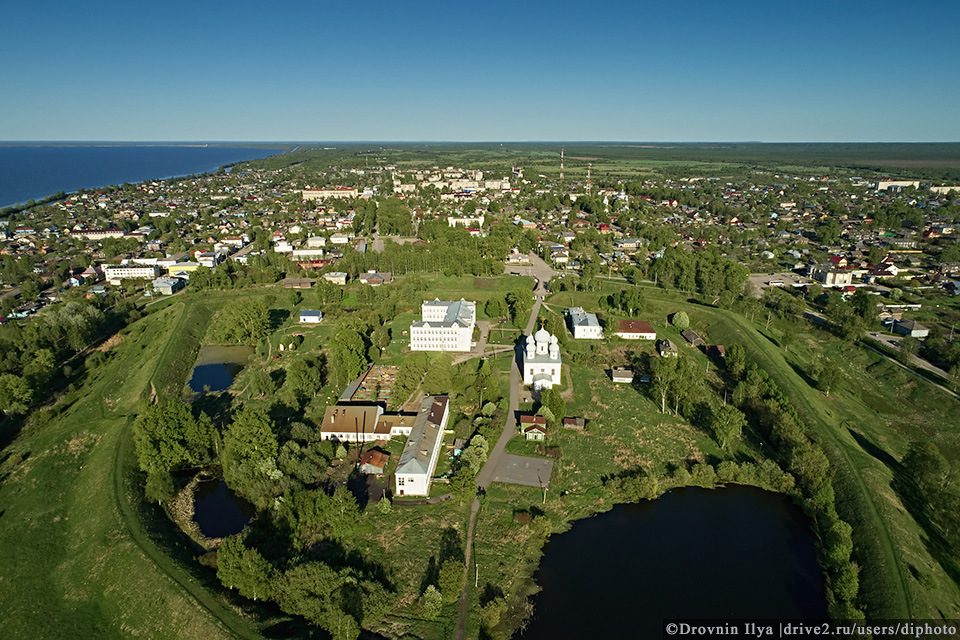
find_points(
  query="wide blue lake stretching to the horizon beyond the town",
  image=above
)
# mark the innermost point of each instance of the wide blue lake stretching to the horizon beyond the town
(32, 172)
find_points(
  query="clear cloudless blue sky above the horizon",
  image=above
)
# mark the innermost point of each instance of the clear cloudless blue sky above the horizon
(681, 71)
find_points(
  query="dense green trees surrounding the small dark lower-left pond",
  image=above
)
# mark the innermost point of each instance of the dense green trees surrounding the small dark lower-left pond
(282, 471)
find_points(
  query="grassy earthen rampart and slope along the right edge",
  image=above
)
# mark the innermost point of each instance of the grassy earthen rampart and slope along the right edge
(862, 427)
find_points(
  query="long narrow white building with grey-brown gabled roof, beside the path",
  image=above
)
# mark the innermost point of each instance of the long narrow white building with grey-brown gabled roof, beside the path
(419, 458)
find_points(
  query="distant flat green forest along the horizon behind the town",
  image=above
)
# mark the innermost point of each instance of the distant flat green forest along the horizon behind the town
(934, 162)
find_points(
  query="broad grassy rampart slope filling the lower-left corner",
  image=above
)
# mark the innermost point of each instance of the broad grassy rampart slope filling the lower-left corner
(77, 559)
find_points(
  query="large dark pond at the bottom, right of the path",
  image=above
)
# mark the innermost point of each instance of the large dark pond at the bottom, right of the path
(731, 553)
